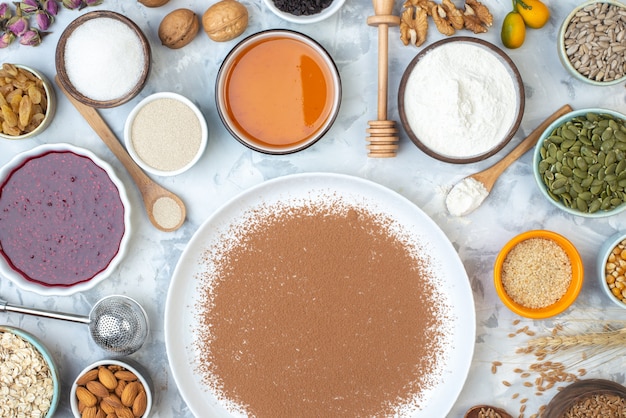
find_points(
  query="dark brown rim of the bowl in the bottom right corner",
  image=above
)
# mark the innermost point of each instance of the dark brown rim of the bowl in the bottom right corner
(580, 390)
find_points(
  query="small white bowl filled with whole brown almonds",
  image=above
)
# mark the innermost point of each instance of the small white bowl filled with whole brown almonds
(112, 388)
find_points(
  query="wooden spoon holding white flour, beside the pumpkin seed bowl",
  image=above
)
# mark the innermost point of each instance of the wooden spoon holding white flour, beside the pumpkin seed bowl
(469, 193)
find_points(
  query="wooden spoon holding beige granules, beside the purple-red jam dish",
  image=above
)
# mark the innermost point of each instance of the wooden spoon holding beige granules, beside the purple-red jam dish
(165, 210)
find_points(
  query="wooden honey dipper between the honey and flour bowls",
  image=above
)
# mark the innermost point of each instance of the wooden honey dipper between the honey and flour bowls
(383, 139)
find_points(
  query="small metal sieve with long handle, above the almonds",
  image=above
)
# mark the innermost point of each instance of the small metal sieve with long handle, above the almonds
(117, 323)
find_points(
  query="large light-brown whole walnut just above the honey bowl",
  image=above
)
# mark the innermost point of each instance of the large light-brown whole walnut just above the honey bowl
(225, 20)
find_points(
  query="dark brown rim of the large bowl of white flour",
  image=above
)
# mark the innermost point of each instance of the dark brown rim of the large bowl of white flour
(411, 126)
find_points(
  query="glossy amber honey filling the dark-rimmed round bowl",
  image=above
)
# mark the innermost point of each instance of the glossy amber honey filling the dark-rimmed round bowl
(279, 92)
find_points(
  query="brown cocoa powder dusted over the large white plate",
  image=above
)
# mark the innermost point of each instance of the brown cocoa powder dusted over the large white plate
(318, 309)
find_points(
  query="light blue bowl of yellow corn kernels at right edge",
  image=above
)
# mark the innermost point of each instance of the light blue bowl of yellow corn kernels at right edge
(611, 268)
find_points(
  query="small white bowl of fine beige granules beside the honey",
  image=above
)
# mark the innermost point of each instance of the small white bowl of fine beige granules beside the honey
(167, 154)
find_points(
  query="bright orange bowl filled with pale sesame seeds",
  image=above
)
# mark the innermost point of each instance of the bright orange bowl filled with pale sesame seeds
(538, 274)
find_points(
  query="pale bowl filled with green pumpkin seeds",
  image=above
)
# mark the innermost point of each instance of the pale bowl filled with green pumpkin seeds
(579, 162)
